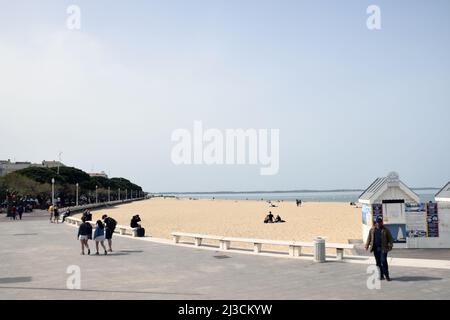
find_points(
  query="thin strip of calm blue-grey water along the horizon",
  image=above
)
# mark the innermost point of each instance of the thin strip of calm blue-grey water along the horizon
(344, 196)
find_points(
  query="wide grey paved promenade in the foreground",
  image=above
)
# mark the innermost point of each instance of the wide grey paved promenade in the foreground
(35, 255)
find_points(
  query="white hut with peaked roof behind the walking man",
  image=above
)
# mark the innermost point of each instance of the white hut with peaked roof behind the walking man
(388, 198)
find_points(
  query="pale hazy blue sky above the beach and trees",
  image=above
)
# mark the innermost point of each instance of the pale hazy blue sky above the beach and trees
(351, 104)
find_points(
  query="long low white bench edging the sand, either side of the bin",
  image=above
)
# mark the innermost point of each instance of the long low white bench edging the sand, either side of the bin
(295, 247)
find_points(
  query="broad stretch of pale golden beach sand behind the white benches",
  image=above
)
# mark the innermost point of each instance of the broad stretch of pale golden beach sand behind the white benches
(336, 222)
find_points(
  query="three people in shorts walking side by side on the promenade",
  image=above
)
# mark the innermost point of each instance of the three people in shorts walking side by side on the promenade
(104, 230)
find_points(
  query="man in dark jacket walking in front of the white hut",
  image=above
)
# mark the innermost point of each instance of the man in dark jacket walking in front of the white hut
(380, 242)
